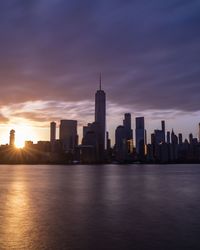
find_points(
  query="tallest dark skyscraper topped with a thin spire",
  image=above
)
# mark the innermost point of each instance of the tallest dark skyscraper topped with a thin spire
(100, 118)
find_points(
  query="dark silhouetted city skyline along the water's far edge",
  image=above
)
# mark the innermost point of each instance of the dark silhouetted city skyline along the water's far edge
(95, 147)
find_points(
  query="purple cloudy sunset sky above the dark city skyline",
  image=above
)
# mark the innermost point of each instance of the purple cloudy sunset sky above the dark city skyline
(51, 53)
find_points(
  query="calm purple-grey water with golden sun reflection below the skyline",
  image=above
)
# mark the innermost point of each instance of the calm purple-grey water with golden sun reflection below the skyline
(100, 207)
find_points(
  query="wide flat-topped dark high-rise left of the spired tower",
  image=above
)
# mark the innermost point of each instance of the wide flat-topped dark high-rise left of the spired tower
(68, 134)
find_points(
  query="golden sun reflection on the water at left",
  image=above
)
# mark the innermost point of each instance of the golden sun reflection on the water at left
(16, 218)
